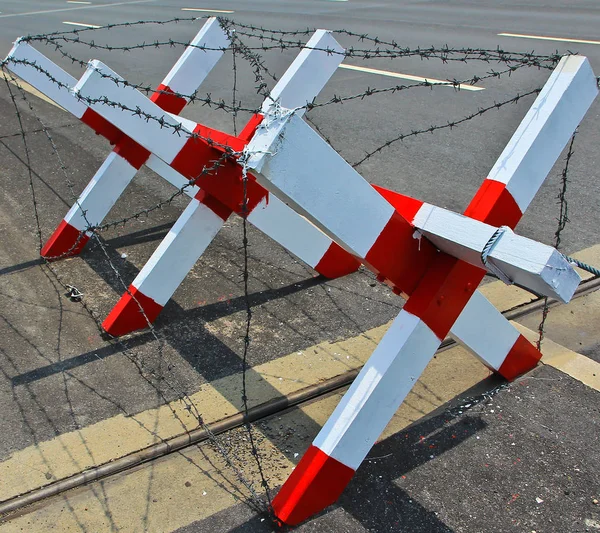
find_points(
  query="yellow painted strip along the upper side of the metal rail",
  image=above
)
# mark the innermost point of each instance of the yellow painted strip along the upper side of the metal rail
(107, 440)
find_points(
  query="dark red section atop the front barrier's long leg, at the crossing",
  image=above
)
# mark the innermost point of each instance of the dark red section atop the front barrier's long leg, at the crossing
(444, 292)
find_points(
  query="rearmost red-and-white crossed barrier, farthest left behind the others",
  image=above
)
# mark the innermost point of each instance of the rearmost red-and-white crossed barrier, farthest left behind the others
(121, 166)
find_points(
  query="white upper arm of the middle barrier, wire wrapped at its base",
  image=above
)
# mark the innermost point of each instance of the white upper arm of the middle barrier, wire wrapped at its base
(308, 73)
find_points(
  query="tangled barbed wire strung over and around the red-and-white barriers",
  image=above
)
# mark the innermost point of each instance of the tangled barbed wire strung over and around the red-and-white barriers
(247, 44)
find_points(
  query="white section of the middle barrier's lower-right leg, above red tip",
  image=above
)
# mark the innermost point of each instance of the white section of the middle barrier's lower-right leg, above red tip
(274, 218)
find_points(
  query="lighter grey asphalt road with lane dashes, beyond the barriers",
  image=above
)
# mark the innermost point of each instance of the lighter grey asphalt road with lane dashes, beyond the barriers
(445, 169)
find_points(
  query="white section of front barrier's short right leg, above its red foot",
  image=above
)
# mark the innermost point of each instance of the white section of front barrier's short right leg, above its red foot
(484, 331)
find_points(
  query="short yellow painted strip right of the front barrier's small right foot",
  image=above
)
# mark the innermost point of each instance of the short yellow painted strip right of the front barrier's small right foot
(577, 366)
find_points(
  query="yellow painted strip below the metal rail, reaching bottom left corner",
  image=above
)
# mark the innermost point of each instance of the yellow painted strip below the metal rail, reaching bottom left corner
(185, 487)
